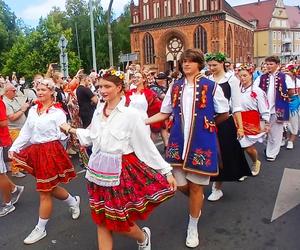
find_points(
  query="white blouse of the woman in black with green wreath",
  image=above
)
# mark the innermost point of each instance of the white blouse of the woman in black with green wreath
(234, 83)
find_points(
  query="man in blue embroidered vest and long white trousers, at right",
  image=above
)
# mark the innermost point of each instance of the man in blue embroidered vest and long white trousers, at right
(276, 85)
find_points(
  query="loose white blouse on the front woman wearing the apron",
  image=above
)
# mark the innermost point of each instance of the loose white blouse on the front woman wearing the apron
(123, 132)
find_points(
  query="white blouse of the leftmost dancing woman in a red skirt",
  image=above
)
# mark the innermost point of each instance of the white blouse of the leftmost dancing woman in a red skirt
(40, 128)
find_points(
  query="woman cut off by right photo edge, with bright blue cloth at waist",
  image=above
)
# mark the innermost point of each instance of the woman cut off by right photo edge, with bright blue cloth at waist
(294, 94)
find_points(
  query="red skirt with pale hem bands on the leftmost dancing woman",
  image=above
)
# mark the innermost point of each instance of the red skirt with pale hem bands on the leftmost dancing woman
(48, 163)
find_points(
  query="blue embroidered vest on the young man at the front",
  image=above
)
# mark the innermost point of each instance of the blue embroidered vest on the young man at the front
(201, 152)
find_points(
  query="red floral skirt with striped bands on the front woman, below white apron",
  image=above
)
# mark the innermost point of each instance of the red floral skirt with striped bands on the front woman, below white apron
(141, 189)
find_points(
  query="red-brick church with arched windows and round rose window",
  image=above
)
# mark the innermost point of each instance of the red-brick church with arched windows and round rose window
(162, 29)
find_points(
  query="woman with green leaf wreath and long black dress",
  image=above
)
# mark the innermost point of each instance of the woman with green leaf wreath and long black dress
(233, 164)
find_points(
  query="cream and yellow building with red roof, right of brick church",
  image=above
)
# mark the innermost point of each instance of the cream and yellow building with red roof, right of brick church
(277, 29)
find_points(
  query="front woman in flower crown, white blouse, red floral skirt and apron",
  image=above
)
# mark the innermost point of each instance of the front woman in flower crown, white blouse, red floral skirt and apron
(127, 177)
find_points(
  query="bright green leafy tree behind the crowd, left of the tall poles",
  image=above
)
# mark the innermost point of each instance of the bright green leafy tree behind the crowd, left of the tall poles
(33, 52)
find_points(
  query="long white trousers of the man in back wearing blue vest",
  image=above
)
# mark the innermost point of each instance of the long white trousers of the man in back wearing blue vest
(274, 137)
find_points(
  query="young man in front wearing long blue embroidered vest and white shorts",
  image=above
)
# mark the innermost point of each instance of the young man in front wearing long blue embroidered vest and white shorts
(194, 102)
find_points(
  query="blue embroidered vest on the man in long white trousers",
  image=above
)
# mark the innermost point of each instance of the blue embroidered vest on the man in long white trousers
(281, 98)
